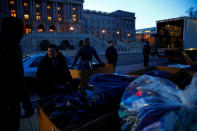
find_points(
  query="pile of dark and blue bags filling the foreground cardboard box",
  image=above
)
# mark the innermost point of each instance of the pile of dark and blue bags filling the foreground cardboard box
(102, 95)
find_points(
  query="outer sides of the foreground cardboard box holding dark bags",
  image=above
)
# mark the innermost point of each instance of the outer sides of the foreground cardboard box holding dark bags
(108, 121)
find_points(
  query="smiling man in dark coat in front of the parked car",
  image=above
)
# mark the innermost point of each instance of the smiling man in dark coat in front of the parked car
(53, 75)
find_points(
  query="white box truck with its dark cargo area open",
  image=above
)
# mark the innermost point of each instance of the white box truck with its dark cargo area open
(177, 38)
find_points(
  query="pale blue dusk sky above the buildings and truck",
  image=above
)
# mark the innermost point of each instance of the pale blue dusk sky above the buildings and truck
(147, 12)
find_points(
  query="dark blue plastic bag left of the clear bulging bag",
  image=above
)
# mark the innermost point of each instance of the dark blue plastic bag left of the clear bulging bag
(107, 89)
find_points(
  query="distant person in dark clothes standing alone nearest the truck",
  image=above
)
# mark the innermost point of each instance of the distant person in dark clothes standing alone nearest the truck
(146, 53)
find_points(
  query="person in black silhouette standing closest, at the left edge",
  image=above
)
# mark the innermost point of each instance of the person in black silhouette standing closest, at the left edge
(12, 75)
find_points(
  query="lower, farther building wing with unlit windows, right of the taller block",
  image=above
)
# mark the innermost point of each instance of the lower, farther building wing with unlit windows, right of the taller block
(118, 25)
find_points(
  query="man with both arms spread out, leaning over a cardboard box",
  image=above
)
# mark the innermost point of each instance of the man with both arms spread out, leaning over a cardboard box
(86, 53)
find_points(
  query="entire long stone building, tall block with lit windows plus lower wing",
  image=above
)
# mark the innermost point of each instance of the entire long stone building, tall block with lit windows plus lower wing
(69, 17)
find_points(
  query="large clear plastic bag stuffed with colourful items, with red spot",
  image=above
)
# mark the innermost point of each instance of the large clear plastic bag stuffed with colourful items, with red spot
(154, 104)
